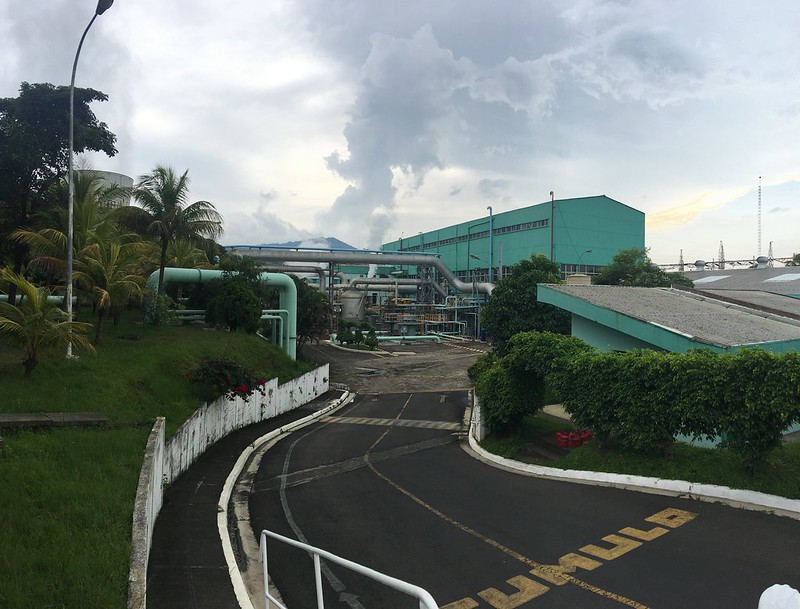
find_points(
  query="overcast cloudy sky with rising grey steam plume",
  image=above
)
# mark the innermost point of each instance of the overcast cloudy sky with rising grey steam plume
(368, 120)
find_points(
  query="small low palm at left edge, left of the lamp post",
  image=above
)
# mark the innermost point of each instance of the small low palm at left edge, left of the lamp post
(36, 322)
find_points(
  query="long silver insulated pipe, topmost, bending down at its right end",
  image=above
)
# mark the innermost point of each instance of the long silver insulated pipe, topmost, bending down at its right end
(356, 257)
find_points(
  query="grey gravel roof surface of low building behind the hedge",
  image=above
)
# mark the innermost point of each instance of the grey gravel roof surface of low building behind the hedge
(704, 319)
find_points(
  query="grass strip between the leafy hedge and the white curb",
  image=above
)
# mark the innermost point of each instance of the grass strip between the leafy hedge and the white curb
(780, 476)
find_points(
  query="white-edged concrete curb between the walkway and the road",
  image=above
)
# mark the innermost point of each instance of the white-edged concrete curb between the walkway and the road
(227, 490)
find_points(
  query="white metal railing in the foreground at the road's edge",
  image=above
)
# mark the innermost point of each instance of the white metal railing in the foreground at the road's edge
(425, 599)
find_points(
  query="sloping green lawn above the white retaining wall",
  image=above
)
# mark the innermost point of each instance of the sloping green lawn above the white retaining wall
(67, 494)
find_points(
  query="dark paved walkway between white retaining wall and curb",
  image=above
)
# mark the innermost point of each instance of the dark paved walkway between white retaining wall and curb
(187, 569)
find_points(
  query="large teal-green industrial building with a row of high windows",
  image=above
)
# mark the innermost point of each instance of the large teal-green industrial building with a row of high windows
(581, 235)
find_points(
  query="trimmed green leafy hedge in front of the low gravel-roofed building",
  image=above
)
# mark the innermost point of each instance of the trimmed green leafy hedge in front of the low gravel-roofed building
(643, 399)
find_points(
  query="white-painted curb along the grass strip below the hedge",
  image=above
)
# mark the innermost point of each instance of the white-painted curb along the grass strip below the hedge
(749, 500)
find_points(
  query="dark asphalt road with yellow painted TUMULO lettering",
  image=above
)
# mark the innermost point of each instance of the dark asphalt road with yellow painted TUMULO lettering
(385, 482)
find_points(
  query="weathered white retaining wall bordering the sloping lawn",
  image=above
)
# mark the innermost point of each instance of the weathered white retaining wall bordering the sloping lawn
(165, 461)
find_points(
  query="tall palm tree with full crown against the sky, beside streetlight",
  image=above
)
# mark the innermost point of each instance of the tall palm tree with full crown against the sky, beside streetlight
(166, 215)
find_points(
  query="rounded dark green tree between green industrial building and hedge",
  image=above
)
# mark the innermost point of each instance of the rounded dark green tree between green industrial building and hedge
(513, 308)
